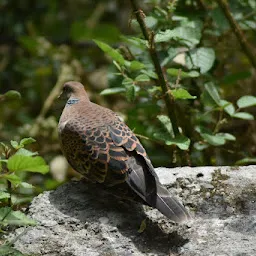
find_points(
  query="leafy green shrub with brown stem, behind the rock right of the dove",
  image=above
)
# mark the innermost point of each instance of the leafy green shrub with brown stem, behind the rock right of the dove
(167, 65)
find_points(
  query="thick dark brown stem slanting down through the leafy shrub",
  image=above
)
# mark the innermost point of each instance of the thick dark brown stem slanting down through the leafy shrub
(149, 36)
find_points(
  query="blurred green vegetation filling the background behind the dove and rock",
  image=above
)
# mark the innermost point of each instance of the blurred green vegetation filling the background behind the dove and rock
(197, 109)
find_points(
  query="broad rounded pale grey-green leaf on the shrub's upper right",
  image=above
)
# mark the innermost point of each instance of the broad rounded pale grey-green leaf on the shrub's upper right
(202, 58)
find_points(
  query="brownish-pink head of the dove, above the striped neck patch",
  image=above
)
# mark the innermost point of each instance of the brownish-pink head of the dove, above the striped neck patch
(73, 90)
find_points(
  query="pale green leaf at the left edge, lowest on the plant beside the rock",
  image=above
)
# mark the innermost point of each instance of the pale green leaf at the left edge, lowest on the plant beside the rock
(17, 218)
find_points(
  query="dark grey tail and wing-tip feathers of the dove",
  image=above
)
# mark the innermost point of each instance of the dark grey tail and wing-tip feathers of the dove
(143, 180)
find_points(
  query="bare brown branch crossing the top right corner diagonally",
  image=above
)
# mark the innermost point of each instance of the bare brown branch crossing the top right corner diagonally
(246, 47)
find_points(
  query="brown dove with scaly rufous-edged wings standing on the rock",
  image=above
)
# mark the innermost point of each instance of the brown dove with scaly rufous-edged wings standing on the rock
(101, 147)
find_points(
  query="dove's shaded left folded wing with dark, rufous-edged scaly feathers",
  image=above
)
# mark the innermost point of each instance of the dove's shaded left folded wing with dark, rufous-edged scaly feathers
(94, 154)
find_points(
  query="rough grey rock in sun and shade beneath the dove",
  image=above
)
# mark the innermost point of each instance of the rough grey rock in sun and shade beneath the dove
(77, 220)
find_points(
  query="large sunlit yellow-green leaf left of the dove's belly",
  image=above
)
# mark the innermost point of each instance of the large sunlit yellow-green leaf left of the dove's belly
(27, 163)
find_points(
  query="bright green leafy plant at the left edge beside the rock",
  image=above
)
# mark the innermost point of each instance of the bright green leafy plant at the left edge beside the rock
(15, 160)
